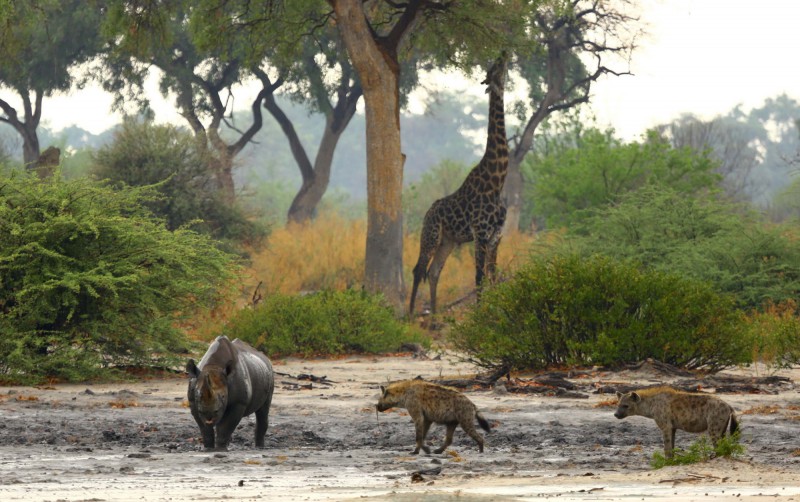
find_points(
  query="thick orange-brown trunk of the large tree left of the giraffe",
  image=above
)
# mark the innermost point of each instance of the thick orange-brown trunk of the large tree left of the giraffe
(379, 73)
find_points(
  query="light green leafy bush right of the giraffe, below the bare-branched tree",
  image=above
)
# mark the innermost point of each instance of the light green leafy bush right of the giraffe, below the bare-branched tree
(590, 170)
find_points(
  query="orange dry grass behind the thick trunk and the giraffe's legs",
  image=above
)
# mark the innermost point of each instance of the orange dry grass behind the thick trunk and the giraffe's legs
(328, 253)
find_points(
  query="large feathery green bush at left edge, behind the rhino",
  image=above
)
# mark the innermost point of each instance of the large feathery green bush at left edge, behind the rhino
(90, 279)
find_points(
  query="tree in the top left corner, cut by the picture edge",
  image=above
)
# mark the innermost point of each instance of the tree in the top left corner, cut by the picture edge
(41, 43)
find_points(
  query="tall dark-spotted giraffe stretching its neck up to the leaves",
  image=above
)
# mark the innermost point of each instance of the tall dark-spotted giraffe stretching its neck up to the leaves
(474, 212)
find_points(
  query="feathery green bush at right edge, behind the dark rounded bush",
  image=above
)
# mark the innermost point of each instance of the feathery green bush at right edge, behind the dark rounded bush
(703, 238)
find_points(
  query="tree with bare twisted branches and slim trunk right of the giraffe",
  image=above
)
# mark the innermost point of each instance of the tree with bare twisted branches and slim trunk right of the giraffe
(573, 40)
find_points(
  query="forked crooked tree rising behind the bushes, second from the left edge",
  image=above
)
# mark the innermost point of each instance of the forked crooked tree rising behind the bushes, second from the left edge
(199, 77)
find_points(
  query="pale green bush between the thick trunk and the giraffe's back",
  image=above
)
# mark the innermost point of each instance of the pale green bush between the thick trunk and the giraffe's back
(441, 180)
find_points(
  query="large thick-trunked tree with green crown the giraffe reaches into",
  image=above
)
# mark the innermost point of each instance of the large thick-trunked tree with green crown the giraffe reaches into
(374, 37)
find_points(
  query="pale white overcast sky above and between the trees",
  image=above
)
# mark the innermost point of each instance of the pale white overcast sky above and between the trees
(700, 56)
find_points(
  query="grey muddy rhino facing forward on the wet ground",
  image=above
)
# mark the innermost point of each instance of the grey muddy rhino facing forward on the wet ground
(232, 381)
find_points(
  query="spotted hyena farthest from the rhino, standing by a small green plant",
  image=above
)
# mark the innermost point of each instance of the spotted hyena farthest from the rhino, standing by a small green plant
(673, 409)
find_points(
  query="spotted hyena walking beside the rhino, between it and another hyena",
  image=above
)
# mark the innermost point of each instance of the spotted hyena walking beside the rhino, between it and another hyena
(428, 403)
